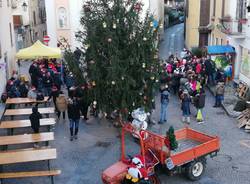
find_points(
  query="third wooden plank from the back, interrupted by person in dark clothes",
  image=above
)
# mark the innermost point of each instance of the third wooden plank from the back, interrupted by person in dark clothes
(26, 123)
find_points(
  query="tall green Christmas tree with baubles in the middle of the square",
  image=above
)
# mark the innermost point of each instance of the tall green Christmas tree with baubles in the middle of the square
(120, 54)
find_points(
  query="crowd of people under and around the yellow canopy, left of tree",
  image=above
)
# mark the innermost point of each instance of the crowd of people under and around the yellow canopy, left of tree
(46, 79)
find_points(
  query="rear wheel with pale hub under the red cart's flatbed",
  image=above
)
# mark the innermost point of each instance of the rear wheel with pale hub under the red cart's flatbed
(195, 169)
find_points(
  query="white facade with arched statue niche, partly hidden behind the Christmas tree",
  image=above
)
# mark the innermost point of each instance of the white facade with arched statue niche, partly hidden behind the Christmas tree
(65, 16)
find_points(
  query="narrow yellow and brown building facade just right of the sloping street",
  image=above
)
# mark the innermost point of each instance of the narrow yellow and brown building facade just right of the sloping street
(197, 24)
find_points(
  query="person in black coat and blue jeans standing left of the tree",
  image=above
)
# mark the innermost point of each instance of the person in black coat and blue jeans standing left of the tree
(74, 117)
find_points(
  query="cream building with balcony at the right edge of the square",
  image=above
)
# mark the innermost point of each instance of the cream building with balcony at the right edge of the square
(231, 22)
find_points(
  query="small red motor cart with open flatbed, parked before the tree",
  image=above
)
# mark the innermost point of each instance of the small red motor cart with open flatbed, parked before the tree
(190, 156)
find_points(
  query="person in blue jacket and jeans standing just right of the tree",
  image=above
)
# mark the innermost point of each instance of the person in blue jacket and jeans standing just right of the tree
(164, 103)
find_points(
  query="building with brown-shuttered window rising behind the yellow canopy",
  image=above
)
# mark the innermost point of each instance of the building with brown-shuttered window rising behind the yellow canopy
(29, 22)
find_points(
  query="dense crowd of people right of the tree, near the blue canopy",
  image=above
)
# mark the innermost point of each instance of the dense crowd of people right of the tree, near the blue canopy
(187, 77)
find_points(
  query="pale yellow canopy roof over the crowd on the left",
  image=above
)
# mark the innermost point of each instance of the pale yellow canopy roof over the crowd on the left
(39, 50)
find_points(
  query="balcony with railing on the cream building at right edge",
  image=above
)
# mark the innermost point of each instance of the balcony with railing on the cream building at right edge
(233, 27)
